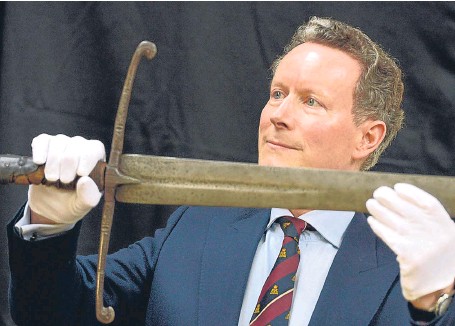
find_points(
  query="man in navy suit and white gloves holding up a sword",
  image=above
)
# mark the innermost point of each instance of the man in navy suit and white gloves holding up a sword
(334, 103)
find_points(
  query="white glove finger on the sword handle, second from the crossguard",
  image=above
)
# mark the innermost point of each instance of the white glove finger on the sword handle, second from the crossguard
(69, 159)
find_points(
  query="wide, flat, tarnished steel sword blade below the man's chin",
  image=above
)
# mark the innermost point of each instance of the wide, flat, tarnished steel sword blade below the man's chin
(175, 181)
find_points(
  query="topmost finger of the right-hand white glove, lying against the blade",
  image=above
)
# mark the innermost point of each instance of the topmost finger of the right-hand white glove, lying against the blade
(419, 197)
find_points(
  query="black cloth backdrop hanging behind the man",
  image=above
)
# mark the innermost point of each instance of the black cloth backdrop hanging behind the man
(63, 64)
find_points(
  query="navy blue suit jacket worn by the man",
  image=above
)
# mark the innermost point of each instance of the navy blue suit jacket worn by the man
(194, 272)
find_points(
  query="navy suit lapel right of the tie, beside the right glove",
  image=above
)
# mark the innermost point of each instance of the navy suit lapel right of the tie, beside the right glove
(362, 272)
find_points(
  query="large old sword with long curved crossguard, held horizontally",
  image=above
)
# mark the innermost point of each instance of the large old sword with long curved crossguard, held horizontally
(145, 179)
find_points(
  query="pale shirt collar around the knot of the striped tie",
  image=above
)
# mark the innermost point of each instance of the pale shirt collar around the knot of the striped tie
(330, 224)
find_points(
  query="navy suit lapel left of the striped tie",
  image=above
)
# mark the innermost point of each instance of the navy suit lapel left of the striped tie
(226, 263)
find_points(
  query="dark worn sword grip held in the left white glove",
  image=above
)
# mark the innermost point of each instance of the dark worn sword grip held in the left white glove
(22, 171)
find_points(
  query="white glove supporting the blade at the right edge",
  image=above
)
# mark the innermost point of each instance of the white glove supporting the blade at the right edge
(418, 229)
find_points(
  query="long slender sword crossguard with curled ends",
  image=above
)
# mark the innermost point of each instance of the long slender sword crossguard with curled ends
(114, 177)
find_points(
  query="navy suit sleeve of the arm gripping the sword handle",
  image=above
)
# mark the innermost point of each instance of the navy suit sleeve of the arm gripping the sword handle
(50, 285)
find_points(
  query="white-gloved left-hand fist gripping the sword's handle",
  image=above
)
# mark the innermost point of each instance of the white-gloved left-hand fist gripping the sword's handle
(65, 158)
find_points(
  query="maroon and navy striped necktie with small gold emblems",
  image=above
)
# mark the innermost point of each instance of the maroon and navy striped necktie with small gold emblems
(274, 303)
